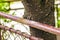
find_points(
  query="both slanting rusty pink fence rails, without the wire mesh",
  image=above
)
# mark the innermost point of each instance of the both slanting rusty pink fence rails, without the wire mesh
(33, 24)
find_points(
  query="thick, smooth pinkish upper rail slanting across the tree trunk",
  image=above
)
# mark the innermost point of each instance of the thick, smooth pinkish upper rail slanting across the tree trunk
(33, 24)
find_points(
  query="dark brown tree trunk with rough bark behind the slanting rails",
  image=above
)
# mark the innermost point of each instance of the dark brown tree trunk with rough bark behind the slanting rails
(40, 11)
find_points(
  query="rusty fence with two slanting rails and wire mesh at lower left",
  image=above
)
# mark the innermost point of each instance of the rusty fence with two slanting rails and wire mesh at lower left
(7, 33)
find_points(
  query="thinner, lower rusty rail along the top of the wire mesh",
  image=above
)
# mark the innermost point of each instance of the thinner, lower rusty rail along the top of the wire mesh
(20, 33)
